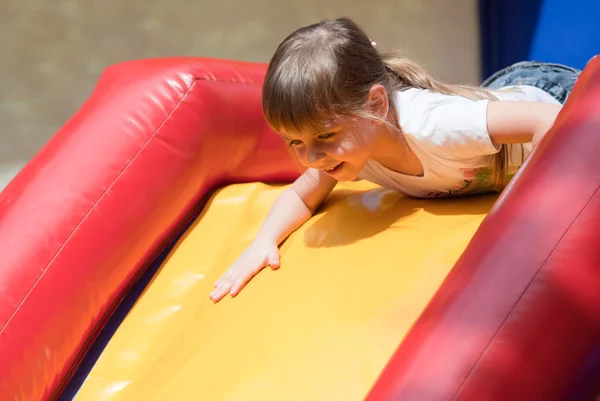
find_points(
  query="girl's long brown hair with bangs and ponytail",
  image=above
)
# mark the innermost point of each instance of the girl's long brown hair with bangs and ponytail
(326, 69)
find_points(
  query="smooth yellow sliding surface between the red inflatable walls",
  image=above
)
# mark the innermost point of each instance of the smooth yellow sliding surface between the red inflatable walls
(352, 281)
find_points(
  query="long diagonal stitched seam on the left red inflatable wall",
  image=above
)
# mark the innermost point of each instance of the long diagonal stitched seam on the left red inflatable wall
(64, 244)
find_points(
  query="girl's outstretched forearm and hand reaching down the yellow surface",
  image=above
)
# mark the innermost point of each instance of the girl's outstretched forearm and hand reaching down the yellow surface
(290, 210)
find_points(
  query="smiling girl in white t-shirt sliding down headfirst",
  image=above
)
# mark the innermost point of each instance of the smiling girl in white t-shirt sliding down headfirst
(348, 113)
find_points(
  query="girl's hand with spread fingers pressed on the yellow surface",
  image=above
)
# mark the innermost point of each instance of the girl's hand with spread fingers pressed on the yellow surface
(257, 256)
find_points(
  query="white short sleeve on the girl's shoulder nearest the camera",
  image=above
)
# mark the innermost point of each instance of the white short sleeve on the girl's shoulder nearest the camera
(449, 126)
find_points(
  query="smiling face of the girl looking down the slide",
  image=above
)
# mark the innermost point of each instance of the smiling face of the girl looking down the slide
(342, 148)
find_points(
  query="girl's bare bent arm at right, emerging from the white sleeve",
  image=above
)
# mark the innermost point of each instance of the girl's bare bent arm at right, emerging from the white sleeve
(520, 122)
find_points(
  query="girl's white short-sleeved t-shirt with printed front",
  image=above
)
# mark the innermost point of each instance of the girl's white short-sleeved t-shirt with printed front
(449, 136)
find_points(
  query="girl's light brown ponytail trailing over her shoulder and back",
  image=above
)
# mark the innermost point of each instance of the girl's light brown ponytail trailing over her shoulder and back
(409, 74)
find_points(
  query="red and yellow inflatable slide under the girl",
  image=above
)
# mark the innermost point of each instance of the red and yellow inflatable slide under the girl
(113, 235)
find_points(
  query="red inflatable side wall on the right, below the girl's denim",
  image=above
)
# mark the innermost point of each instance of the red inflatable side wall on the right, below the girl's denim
(520, 312)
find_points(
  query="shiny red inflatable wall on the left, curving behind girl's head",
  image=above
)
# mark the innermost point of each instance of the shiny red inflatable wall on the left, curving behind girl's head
(84, 217)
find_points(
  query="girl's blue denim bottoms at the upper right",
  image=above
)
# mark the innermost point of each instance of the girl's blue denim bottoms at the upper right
(556, 79)
